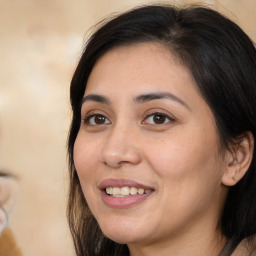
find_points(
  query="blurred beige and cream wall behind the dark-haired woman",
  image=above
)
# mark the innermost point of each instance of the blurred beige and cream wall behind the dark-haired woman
(40, 44)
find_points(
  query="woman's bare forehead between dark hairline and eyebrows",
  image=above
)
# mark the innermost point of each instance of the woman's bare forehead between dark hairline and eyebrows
(139, 65)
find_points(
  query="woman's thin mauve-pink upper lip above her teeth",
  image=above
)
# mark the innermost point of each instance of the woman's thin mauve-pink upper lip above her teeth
(122, 183)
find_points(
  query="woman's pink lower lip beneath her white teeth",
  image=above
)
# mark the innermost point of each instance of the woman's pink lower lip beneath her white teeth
(123, 202)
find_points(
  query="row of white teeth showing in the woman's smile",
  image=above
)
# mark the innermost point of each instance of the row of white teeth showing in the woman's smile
(125, 191)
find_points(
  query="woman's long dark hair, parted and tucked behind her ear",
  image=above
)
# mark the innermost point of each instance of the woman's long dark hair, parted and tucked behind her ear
(222, 61)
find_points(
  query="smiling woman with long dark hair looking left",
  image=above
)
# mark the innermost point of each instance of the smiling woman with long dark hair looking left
(161, 145)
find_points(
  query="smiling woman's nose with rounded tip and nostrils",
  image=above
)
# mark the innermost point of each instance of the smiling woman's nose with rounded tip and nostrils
(120, 148)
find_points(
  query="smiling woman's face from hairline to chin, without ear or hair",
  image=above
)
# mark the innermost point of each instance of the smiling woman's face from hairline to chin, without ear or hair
(147, 152)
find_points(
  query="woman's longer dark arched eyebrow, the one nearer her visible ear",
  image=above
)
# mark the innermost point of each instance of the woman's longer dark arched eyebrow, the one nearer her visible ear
(159, 95)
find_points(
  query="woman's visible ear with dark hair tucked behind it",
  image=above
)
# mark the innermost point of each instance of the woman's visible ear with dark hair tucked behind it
(238, 159)
